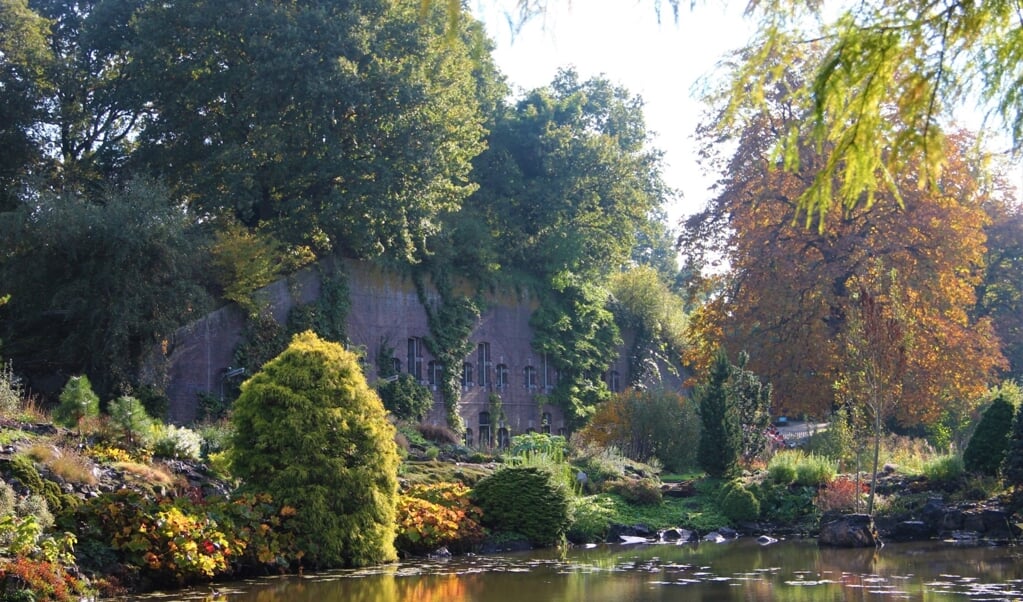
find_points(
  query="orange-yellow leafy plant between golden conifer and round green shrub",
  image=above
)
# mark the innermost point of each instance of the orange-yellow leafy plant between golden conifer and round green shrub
(438, 515)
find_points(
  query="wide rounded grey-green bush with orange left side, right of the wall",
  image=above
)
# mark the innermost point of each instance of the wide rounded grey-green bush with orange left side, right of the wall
(647, 423)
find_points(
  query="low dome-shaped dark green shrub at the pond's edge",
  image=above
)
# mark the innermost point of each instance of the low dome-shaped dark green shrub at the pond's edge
(526, 500)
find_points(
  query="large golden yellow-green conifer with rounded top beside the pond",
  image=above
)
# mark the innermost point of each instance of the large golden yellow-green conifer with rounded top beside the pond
(309, 432)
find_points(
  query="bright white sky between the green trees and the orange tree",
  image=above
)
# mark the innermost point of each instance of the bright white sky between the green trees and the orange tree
(624, 41)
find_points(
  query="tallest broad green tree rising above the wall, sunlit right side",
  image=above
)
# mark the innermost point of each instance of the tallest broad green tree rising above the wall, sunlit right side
(341, 126)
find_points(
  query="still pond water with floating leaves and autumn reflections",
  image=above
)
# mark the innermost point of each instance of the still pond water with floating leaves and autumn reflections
(735, 571)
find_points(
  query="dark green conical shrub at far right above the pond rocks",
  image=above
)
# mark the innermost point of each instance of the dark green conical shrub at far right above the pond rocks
(988, 447)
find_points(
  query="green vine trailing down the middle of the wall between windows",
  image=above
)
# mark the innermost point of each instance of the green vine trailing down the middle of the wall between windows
(451, 321)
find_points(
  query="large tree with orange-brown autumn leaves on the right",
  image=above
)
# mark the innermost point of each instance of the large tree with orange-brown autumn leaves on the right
(790, 289)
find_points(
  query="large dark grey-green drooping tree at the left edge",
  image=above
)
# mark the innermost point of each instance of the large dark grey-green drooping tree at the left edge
(122, 268)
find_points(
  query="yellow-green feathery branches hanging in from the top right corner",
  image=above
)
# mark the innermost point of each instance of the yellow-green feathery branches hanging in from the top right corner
(881, 91)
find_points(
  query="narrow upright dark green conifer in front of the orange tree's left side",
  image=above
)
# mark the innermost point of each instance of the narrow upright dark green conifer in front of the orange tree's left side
(722, 436)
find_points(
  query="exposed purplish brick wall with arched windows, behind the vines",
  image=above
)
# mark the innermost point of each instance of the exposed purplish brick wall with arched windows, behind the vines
(386, 313)
